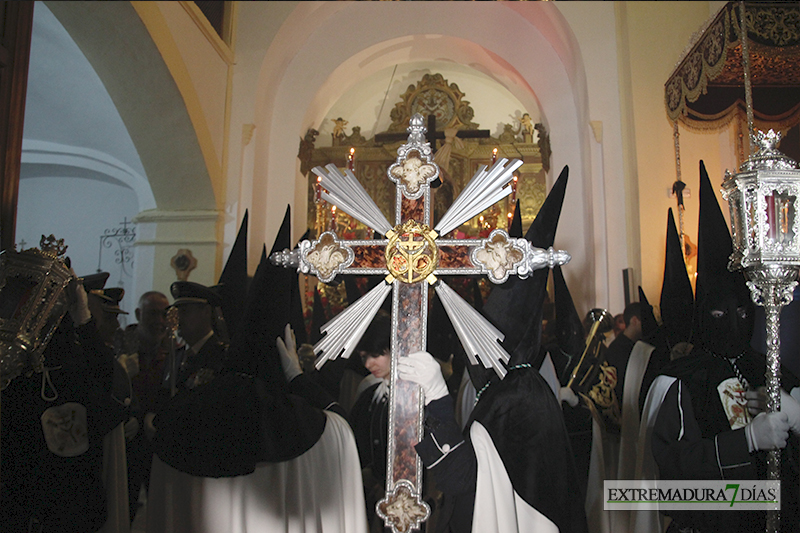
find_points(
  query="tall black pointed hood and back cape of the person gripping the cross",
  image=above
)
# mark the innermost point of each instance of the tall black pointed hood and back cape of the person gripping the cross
(520, 413)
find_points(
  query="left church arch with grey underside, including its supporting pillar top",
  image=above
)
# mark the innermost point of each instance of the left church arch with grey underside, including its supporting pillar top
(173, 148)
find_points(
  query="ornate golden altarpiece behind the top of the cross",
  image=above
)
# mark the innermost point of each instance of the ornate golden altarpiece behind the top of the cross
(433, 95)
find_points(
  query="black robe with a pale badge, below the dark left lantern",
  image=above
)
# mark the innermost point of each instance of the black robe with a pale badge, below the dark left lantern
(38, 485)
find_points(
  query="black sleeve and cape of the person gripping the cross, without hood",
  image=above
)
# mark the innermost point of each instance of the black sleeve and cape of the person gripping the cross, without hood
(524, 420)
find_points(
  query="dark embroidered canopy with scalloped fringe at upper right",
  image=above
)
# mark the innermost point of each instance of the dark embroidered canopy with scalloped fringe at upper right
(705, 90)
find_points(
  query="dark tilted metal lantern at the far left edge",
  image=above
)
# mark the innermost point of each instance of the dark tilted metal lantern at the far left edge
(32, 304)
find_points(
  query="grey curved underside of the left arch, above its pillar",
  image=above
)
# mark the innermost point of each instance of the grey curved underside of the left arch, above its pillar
(146, 98)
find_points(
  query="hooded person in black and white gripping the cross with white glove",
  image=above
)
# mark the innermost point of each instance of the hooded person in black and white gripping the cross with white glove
(512, 469)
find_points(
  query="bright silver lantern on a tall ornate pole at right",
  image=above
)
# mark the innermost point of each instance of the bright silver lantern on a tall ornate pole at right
(763, 200)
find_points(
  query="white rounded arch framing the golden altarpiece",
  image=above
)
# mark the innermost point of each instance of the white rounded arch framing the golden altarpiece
(324, 48)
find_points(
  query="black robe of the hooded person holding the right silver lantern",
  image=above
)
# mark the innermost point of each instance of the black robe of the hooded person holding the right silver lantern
(693, 440)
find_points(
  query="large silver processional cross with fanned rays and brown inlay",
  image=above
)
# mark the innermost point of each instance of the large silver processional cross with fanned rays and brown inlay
(411, 257)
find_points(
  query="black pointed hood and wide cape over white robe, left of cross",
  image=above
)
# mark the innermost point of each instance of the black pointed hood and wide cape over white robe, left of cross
(244, 415)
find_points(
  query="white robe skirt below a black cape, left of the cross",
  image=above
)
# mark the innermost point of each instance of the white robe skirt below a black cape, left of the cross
(317, 492)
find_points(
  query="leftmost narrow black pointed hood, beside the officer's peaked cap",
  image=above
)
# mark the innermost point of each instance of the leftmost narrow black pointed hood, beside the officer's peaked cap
(233, 281)
